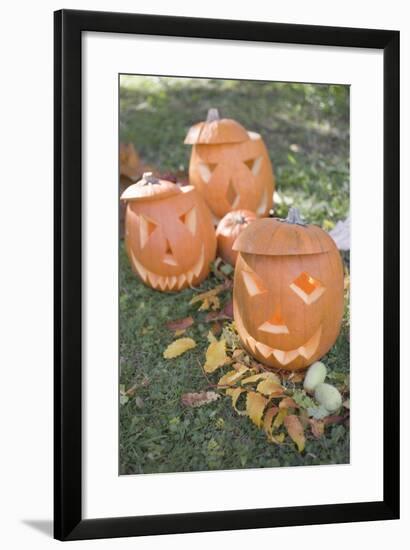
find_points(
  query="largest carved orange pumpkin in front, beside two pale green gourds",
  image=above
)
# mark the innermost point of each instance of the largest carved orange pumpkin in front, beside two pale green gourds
(288, 291)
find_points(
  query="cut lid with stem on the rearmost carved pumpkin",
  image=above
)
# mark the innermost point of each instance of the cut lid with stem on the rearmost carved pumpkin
(216, 130)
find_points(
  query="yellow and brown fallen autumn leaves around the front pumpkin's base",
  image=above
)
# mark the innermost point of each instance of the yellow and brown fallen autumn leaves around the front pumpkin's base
(274, 401)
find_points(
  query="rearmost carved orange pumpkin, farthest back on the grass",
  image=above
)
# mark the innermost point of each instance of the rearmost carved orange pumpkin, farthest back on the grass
(230, 166)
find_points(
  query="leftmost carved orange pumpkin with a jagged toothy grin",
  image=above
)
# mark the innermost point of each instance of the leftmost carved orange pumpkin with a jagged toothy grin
(169, 236)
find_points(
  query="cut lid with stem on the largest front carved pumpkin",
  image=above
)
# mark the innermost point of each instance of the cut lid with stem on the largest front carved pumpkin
(283, 237)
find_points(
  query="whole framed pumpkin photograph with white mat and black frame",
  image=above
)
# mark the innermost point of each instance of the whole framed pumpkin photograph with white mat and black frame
(226, 275)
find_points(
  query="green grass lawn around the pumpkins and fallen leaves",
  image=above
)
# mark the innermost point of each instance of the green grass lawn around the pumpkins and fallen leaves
(306, 131)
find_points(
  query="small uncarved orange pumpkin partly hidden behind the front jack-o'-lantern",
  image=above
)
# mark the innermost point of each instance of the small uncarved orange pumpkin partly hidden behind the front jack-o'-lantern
(231, 225)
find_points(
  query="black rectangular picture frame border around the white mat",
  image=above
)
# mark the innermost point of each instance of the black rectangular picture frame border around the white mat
(68, 521)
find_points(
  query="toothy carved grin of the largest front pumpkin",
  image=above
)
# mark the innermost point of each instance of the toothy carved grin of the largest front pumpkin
(283, 357)
